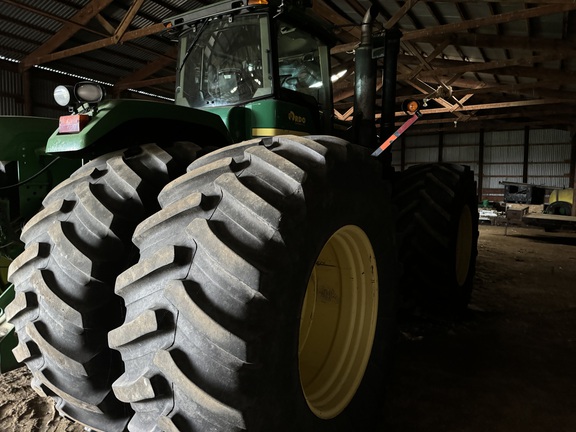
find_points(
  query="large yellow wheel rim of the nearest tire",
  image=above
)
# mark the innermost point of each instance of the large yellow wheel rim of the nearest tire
(338, 322)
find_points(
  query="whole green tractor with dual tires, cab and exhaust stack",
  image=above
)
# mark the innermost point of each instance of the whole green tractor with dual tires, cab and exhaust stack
(232, 262)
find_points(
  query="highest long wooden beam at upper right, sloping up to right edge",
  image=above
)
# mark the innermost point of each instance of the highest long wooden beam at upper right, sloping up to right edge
(492, 20)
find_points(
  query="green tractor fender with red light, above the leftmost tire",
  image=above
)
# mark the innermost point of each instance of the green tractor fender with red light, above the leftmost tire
(119, 124)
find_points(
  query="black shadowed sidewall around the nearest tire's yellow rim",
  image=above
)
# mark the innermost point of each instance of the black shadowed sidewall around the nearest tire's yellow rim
(328, 212)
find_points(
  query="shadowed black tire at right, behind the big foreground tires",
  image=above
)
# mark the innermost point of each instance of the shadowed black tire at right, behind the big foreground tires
(438, 236)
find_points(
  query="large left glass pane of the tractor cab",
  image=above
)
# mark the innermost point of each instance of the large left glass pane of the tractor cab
(224, 63)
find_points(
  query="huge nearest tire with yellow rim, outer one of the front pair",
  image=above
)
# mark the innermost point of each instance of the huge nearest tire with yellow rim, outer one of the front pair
(264, 297)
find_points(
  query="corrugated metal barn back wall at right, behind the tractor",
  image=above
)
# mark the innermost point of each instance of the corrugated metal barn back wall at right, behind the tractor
(543, 157)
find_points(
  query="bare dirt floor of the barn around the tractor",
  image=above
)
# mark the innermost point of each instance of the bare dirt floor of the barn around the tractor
(509, 366)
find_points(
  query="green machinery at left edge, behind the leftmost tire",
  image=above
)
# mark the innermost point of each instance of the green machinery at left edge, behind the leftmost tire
(27, 173)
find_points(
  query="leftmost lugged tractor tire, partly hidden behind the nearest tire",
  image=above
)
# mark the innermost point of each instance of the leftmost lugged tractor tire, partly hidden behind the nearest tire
(75, 247)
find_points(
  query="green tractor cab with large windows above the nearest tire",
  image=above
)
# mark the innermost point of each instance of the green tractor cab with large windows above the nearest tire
(263, 65)
